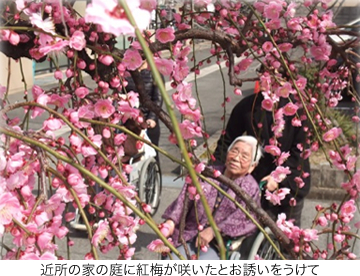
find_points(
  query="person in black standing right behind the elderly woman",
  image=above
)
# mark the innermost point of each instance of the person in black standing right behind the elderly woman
(249, 117)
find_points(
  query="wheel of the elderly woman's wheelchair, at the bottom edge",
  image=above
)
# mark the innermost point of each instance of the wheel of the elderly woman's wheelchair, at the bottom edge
(263, 248)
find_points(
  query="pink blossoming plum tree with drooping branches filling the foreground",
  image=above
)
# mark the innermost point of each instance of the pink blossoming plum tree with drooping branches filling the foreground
(65, 170)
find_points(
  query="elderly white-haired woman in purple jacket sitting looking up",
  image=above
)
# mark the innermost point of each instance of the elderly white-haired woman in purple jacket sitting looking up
(242, 157)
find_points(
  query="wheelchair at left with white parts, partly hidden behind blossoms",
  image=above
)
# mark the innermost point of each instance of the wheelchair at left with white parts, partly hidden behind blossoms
(145, 176)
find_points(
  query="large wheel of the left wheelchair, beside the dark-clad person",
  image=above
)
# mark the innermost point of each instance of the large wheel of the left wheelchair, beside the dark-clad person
(150, 184)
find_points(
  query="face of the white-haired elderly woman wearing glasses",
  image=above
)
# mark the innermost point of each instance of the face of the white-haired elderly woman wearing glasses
(238, 160)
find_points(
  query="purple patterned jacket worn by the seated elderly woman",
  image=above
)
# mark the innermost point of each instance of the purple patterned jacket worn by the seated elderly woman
(231, 221)
